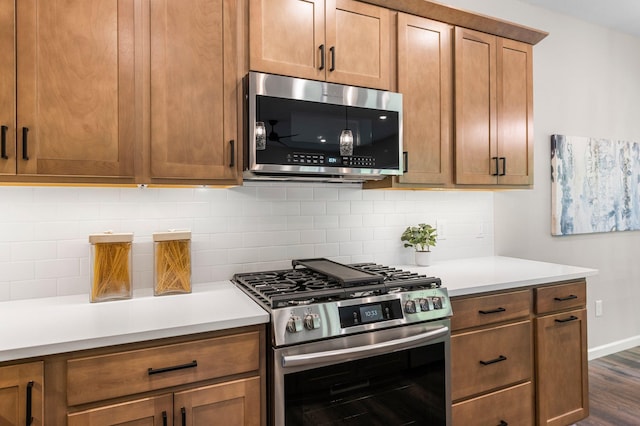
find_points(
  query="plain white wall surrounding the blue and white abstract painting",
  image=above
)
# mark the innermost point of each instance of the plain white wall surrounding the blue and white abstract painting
(586, 83)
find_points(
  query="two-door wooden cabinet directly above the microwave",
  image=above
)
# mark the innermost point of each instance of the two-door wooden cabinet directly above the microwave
(341, 41)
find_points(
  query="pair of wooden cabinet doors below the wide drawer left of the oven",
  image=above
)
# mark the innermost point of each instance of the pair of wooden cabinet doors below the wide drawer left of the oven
(235, 403)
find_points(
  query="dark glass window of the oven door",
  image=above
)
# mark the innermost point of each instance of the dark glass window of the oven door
(402, 388)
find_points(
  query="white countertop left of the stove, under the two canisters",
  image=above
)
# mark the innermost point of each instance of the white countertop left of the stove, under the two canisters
(37, 327)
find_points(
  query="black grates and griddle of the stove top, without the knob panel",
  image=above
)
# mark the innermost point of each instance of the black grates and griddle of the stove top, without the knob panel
(321, 280)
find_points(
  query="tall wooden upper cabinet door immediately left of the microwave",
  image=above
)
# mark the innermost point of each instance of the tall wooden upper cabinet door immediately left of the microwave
(194, 86)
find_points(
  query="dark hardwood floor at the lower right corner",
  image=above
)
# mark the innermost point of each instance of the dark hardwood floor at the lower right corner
(614, 390)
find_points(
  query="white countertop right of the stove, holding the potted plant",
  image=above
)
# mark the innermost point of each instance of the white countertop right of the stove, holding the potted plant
(483, 274)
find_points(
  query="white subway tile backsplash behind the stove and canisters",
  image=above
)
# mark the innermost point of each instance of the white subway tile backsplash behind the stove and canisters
(44, 248)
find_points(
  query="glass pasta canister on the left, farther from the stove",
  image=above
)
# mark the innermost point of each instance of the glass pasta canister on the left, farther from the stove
(111, 264)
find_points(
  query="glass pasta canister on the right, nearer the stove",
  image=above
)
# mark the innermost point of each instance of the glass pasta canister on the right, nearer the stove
(172, 262)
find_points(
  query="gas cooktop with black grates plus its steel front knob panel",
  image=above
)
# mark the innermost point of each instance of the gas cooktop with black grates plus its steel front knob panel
(320, 299)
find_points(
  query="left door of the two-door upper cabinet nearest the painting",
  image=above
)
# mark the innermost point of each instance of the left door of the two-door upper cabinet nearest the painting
(475, 106)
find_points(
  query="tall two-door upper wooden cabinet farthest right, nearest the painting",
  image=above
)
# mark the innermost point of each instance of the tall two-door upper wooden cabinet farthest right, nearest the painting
(493, 110)
